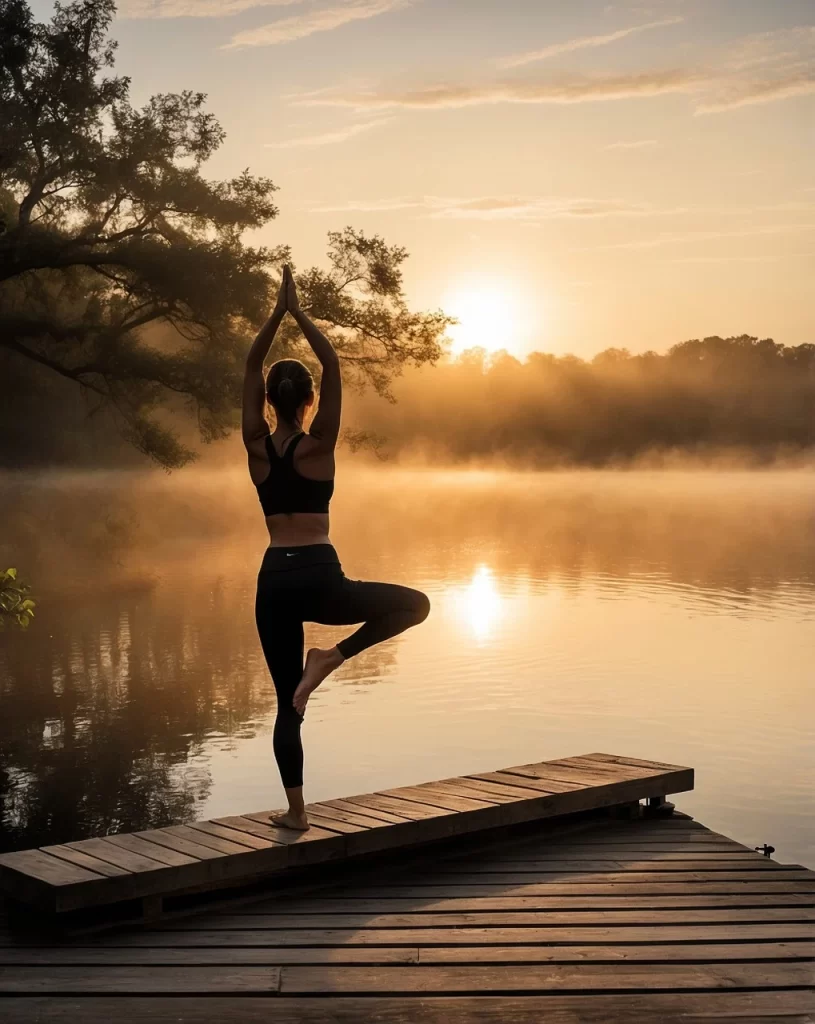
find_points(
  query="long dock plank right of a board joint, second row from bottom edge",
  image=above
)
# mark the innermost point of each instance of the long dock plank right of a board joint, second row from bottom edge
(538, 978)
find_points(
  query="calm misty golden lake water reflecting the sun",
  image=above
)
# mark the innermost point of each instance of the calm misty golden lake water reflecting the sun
(661, 616)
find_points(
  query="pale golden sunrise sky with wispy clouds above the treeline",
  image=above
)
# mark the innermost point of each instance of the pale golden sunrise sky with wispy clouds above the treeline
(566, 177)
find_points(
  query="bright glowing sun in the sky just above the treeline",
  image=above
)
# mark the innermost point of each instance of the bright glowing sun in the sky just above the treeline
(488, 314)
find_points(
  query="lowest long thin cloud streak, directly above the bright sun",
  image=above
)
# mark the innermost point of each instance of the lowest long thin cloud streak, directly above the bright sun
(498, 207)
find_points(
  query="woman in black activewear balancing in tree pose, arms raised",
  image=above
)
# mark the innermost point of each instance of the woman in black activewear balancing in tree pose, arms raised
(302, 579)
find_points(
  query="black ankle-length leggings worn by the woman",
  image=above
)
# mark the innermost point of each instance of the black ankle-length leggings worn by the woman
(308, 585)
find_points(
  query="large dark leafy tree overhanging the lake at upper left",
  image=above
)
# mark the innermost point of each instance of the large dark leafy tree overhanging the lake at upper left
(124, 270)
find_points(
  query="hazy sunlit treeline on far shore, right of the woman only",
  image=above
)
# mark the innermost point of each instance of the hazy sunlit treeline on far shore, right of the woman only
(718, 394)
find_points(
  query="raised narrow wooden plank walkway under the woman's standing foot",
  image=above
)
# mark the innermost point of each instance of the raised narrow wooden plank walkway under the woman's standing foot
(211, 856)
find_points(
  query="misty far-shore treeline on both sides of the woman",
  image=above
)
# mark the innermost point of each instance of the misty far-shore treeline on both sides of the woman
(701, 397)
